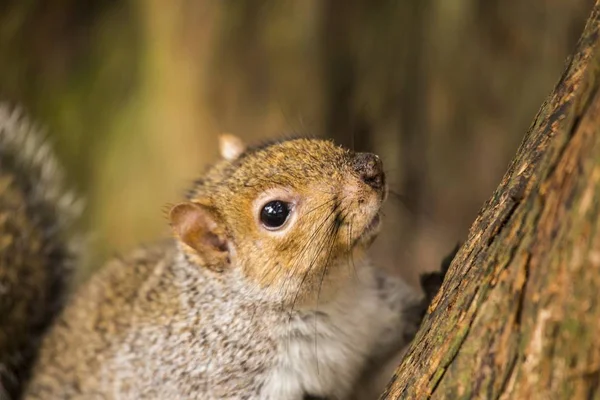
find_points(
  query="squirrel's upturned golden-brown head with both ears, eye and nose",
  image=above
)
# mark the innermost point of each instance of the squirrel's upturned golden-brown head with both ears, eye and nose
(290, 215)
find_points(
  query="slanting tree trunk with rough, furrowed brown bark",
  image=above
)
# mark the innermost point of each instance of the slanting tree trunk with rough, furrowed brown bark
(518, 315)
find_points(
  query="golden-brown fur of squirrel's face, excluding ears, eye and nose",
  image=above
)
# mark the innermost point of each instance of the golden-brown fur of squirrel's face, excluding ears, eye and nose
(330, 194)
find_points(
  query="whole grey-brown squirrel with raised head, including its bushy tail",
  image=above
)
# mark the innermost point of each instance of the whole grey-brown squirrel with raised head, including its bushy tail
(264, 291)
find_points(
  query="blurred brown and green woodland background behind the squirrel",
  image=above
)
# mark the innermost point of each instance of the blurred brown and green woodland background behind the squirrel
(134, 93)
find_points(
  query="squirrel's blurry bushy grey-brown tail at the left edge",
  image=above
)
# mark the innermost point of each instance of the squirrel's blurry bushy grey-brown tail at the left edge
(37, 250)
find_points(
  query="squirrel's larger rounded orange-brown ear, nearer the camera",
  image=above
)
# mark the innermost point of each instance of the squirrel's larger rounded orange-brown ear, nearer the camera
(197, 227)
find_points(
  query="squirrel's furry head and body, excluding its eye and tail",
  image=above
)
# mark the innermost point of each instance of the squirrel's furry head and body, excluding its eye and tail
(231, 309)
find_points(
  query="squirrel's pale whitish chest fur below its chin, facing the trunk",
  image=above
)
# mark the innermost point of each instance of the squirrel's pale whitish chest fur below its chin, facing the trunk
(324, 352)
